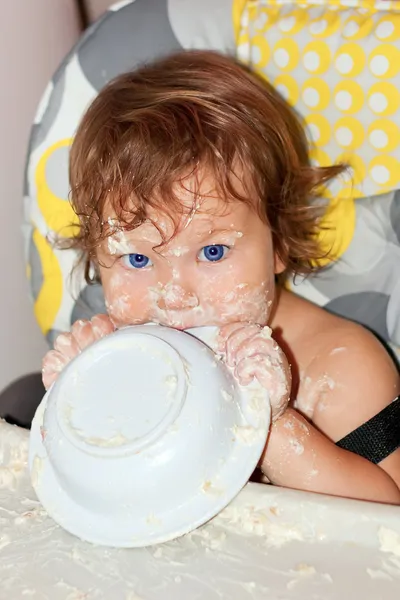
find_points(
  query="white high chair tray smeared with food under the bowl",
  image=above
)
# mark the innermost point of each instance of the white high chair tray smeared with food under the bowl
(269, 543)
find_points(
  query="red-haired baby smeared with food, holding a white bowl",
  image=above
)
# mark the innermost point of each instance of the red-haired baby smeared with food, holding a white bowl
(194, 191)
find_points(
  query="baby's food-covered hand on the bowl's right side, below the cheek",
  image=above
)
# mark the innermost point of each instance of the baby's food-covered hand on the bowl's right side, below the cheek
(251, 351)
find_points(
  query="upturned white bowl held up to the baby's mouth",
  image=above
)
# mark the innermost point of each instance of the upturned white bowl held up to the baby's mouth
(145, 436)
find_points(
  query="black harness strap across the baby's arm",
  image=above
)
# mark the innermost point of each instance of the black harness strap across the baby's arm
(377, 438)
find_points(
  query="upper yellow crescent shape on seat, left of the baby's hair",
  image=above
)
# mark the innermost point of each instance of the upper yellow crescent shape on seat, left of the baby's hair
(56, 211)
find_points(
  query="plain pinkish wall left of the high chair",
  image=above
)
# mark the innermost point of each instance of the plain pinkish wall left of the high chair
(34, 37)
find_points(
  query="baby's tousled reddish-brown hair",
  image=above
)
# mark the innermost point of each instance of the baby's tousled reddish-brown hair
(149, 128)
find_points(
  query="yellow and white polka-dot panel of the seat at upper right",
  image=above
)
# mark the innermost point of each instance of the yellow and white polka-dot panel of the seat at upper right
(338, 63)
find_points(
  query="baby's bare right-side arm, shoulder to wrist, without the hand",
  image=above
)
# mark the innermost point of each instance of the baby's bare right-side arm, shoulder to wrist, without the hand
(362, 380)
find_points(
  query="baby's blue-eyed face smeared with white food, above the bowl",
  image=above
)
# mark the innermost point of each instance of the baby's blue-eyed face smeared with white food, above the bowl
(219, 268)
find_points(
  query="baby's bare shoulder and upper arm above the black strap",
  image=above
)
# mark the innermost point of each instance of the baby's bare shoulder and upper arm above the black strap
(346, 376)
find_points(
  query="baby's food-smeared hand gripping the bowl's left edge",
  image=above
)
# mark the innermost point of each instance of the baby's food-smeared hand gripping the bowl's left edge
(68, 345)
